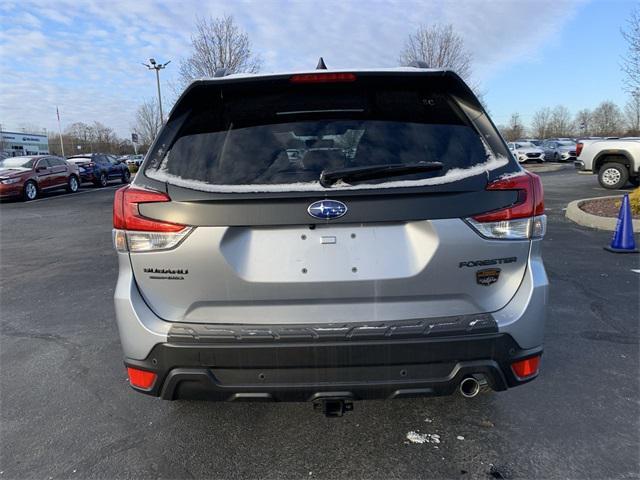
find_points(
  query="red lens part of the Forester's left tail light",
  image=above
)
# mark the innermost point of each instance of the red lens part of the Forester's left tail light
(126, 215)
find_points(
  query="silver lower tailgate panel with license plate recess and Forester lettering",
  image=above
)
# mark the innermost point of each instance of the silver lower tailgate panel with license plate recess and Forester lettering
(250, 275)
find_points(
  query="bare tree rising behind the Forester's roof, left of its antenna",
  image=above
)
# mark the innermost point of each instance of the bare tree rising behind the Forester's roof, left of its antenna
(218, 43)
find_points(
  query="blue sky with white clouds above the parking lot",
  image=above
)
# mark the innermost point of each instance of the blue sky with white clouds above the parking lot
(85, 56)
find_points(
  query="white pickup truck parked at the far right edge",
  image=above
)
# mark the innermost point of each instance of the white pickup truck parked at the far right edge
(616, 161)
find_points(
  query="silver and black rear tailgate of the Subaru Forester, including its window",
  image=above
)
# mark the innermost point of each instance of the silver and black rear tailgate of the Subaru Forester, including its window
(401, 249)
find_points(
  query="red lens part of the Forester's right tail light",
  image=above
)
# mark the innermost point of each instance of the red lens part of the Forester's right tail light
(530, 198)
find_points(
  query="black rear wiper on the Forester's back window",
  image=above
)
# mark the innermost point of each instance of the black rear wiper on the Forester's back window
(372, 172)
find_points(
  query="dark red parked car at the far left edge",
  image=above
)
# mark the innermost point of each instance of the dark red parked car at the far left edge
(30, 176)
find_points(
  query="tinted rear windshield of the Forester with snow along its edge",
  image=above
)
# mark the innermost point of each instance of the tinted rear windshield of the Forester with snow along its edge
(284, 143)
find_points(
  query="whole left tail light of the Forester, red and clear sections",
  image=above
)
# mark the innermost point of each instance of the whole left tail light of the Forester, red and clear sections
(134, 232)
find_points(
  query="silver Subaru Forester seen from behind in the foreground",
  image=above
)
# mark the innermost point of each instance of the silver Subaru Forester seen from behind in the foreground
(329, 236)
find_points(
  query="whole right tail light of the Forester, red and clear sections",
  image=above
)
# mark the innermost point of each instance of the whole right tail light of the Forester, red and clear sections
(523, 220)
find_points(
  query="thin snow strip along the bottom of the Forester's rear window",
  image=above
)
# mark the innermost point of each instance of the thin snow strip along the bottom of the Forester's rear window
(452, 175)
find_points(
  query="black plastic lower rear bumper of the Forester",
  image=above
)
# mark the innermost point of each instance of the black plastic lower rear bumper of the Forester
(276, 370)
